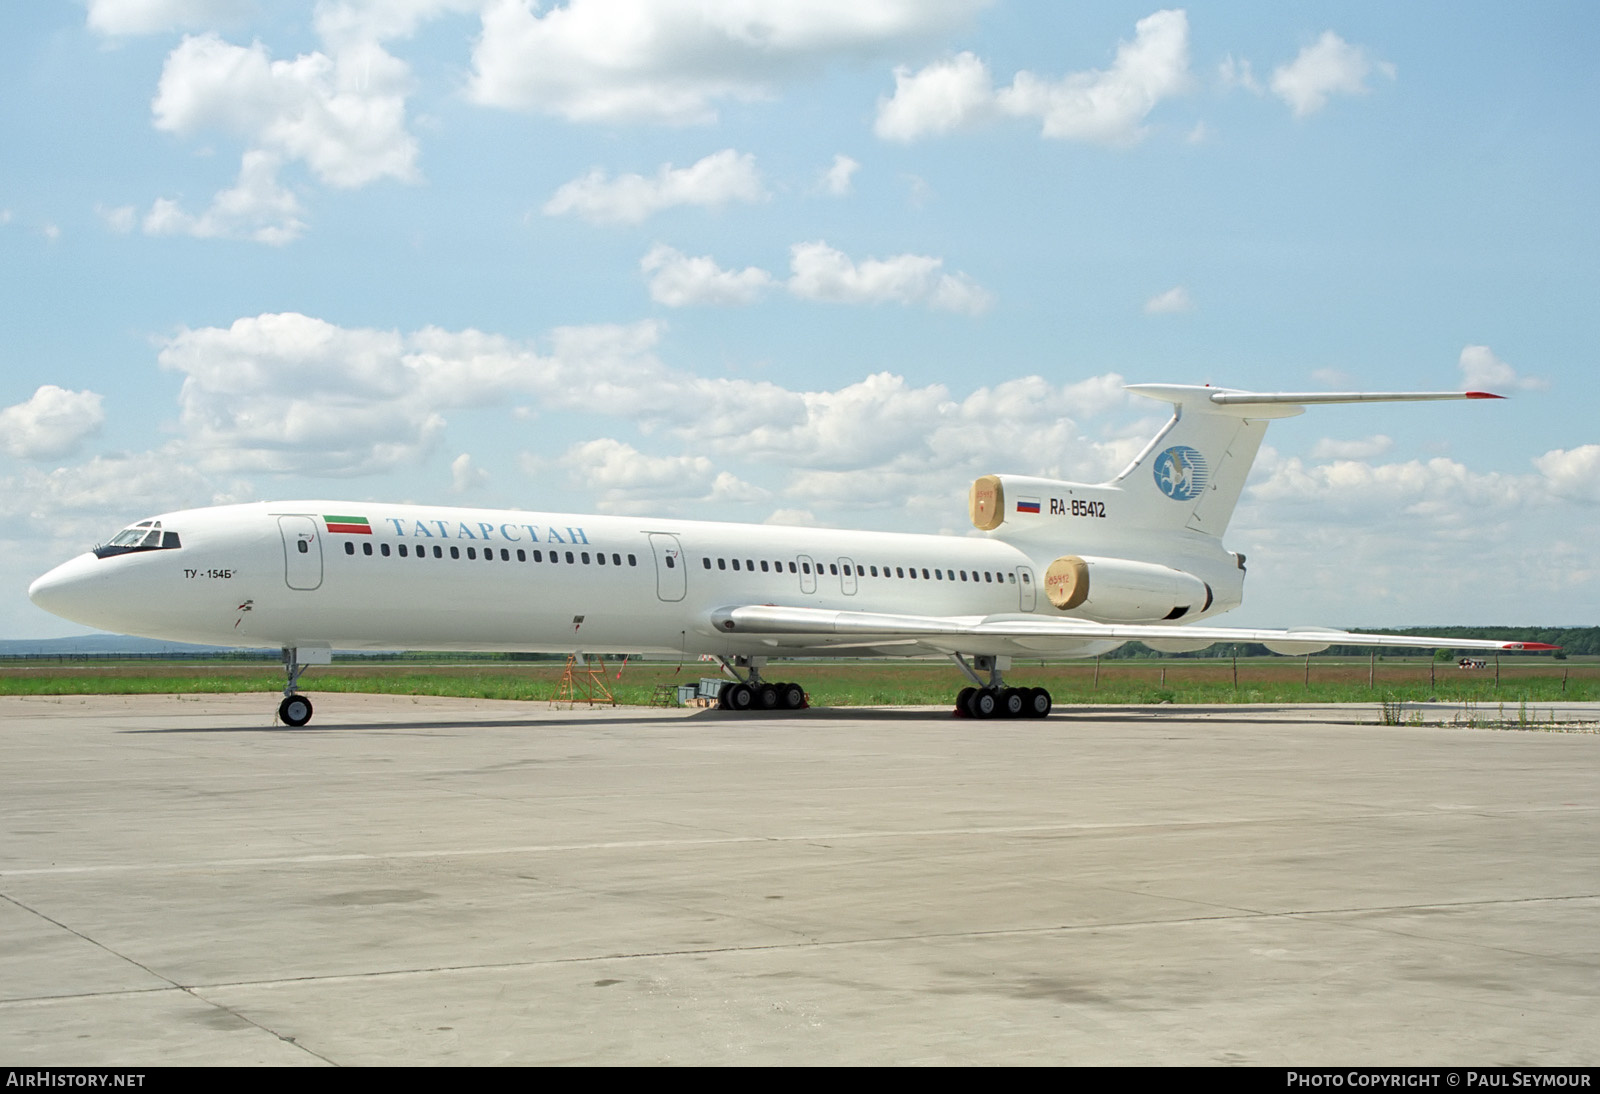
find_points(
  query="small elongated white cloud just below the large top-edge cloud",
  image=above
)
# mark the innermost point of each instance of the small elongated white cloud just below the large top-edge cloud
(630, 199)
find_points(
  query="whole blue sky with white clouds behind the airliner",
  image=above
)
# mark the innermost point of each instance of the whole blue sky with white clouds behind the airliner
(812, 265)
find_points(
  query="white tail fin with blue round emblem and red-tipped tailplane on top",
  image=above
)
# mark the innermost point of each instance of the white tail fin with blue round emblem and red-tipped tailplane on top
(1194, 471)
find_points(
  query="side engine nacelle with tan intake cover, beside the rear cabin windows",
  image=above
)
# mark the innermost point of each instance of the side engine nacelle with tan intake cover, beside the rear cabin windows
(1121, 591)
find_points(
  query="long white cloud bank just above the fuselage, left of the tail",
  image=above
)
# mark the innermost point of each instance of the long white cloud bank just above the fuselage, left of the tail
(292, 394)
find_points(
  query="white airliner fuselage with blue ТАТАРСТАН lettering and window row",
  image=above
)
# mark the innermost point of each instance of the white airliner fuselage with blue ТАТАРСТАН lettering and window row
(441, 578)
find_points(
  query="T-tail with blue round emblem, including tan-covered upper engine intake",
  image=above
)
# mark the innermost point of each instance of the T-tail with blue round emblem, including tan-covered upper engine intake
(1186, 481)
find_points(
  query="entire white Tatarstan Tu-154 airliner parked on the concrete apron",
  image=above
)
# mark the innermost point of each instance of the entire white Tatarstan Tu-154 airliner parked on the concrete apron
(1062, 570)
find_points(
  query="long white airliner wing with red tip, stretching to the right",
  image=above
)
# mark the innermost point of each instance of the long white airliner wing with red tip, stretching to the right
(822, 628)
